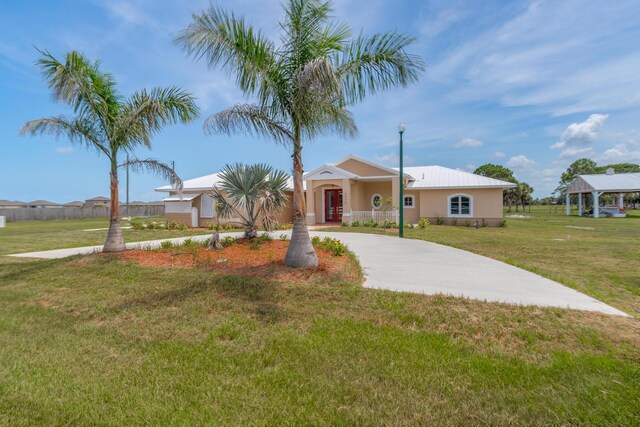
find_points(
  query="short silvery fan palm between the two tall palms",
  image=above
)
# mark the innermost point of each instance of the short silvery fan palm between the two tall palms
(253, 193)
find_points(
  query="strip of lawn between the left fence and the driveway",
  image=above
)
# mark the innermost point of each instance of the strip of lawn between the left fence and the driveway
(32, 236)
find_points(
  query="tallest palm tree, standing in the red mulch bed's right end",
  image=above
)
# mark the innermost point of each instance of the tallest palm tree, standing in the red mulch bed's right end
(302, 87)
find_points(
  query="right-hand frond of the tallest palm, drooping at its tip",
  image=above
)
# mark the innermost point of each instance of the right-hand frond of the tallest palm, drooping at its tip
(373, 64)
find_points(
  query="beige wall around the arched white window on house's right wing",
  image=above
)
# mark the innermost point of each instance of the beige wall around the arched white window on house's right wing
(487, 205)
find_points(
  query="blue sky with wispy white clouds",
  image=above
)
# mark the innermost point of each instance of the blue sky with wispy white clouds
(529, 84)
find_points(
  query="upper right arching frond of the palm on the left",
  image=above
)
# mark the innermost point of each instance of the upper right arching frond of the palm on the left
(146, 112)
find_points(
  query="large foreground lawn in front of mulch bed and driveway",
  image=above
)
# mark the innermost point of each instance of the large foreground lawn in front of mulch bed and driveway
(95, 340)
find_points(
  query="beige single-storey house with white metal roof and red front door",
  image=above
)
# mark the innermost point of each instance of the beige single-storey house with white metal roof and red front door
(356, 189)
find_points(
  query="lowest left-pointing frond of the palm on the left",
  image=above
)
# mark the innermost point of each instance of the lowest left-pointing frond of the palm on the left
(78, 130)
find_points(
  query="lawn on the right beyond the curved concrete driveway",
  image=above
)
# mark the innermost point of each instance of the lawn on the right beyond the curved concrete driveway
(599, 257)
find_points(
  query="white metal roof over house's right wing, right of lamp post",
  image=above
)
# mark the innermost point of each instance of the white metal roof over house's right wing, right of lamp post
(434, 177)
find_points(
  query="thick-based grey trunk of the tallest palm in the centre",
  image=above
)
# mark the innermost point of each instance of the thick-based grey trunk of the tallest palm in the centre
(300, 253)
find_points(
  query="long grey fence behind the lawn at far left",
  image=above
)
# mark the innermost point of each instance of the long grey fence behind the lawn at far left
(29, 214)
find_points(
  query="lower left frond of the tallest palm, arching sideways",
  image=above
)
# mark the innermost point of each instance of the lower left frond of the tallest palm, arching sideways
(250, 120)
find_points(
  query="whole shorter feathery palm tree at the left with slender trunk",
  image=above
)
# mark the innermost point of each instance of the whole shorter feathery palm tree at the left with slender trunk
(107, 122)
